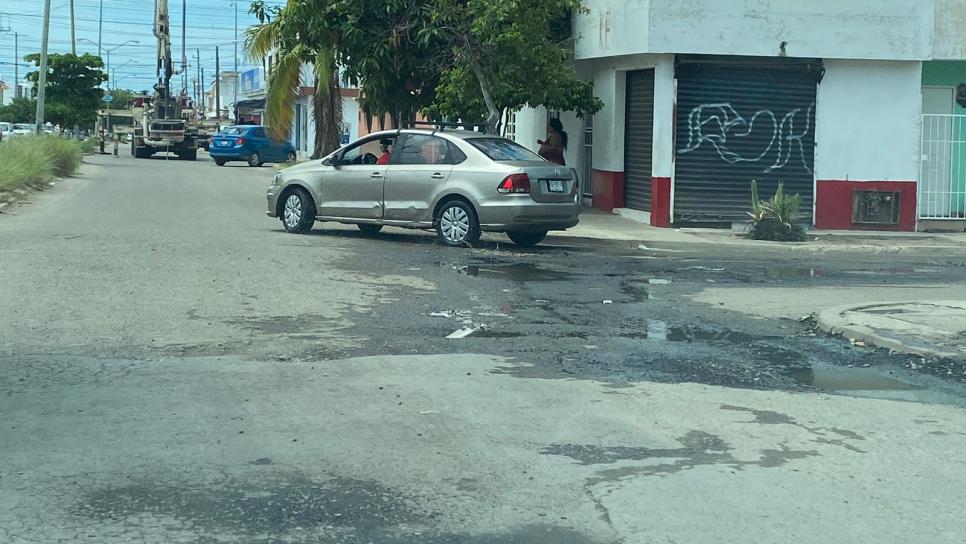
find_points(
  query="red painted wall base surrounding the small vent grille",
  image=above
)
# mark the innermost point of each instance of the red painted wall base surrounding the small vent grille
(833, 204)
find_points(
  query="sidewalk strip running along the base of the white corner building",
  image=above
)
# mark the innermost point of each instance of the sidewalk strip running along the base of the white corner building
(601, 226)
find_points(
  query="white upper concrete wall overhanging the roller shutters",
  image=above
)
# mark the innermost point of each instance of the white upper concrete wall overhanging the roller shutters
(844, 29)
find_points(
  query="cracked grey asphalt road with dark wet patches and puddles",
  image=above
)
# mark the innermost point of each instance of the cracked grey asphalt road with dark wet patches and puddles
(174, 368)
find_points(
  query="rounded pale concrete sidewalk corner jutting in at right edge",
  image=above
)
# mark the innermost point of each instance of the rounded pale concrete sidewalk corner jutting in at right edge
(927, 328)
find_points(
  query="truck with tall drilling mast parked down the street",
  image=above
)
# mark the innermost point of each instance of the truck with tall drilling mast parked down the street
(165, 121)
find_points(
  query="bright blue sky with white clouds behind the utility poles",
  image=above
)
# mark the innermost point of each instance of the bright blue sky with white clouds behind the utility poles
(210, 23)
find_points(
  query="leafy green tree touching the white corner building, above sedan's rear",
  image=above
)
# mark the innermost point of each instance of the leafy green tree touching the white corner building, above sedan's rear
(507, 54)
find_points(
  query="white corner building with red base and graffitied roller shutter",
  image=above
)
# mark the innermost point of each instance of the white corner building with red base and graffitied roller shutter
(830, 97)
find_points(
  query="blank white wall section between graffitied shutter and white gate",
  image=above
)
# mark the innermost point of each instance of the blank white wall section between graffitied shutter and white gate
(867, 121)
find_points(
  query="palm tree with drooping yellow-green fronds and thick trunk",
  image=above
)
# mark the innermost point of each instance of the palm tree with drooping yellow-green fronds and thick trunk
(286, 36)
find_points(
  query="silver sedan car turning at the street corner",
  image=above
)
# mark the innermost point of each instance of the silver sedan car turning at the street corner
(459, 183)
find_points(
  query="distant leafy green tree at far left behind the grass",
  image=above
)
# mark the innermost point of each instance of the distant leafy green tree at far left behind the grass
(73, 93)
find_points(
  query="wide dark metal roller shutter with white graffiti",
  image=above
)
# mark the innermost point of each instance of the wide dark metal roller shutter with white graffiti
(738, 121)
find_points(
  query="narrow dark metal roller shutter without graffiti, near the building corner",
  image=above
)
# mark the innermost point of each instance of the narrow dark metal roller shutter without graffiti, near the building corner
(638, 134)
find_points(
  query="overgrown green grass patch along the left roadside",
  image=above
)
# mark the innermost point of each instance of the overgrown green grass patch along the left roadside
(29, 161)
